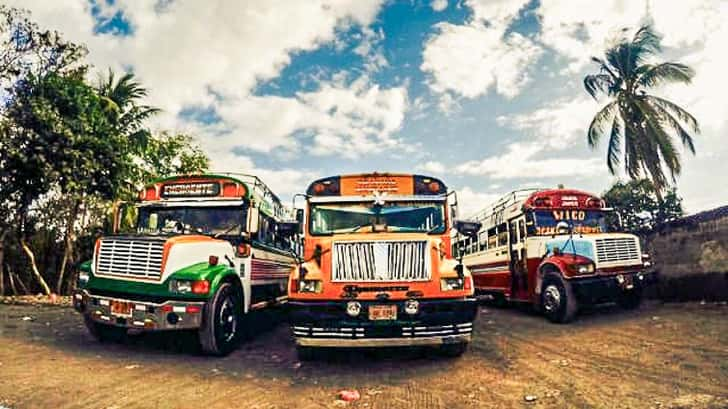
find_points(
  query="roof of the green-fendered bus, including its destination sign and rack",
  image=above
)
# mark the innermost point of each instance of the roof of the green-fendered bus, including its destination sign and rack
(216, 186)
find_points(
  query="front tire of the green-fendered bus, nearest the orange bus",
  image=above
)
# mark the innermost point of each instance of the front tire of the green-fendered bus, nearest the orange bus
(221, 326)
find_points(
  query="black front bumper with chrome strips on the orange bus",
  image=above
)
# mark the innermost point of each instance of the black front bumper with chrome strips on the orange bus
(326, 324)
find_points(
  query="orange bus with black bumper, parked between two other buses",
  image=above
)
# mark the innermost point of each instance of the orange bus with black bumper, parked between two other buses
(378, 268)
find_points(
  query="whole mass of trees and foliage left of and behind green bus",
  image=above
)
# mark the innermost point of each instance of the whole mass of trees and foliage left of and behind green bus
(70, 150)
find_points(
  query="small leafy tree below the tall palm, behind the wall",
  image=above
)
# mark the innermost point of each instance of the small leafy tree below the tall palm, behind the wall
(640, 207)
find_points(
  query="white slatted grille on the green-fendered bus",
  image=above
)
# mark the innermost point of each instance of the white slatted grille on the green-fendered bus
(130, 258)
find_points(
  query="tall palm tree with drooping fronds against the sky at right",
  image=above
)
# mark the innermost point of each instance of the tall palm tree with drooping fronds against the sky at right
(641, 125)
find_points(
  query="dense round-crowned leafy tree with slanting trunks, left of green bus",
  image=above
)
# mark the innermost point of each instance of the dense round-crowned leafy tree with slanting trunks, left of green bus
(61, 139)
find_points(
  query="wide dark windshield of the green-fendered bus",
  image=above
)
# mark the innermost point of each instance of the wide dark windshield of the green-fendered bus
(220, 220)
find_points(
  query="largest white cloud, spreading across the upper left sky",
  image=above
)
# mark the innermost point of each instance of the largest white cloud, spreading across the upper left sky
(192, 53)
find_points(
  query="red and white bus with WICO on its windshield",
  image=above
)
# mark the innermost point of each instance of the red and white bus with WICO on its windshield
(556, 249)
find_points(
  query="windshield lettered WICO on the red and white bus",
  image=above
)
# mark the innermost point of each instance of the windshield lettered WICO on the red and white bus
(583, 221)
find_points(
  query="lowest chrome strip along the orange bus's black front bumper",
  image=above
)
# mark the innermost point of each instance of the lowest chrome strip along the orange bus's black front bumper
(381, 342)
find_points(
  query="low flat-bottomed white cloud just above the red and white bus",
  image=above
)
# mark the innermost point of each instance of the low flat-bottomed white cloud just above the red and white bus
(530, 160)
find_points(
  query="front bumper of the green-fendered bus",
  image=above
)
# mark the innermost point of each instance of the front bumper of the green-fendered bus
(169, 315)
